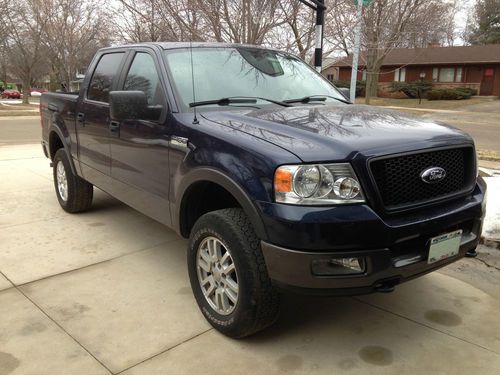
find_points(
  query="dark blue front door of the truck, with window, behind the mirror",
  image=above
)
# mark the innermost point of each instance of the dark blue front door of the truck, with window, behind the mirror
(140, 148)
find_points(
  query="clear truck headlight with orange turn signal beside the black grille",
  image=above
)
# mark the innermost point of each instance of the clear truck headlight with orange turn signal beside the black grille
(320, 184)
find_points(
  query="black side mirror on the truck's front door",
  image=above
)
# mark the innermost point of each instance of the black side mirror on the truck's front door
(132, 105)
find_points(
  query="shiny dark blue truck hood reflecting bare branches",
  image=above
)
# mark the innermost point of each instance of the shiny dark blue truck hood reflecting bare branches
(339, 132)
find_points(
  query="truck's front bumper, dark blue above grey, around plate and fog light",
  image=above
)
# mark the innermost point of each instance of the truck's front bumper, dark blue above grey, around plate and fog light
(398, 252)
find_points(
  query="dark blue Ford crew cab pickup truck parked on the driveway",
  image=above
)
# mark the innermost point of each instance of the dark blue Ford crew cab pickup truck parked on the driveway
(276, 179)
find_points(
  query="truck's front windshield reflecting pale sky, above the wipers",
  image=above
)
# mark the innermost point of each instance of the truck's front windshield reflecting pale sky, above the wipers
(245, 72)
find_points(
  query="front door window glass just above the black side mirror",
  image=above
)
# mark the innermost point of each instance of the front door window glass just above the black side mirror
(142, 76)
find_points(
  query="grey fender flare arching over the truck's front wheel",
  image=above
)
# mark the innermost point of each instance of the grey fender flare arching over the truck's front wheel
(216, 176)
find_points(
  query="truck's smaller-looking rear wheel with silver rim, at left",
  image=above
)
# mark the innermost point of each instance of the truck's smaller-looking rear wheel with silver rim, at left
(73, 193)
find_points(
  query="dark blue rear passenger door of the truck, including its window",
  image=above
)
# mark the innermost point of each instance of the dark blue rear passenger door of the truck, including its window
(93, 122)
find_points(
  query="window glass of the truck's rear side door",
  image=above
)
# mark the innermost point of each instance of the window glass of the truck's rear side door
(102, 79)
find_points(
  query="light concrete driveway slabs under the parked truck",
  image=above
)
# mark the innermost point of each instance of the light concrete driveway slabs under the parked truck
(107, 292)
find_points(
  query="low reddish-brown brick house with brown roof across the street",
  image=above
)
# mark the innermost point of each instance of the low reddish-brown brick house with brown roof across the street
(476, 67)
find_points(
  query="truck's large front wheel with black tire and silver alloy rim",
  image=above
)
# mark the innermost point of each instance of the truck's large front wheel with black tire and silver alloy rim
(228, 274)
